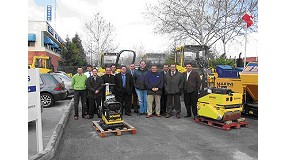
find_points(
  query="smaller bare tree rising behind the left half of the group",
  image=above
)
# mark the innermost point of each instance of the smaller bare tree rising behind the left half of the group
(99, 36)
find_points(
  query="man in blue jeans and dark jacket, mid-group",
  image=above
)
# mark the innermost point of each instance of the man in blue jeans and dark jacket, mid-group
(139, 77)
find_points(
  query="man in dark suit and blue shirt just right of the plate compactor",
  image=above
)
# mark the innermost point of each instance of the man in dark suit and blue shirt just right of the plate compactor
(123, 89)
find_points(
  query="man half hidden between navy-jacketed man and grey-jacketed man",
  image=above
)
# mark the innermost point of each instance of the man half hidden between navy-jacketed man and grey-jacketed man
(163, 98)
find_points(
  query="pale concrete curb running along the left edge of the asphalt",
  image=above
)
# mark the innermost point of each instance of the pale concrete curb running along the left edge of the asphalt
(52, 145)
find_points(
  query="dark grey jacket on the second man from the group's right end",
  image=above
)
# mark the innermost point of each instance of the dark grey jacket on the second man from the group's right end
(173, 85)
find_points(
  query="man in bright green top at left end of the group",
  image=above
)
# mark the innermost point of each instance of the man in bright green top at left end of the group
(79, 85)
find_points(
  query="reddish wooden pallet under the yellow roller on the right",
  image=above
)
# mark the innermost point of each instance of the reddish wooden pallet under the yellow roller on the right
(223, 125)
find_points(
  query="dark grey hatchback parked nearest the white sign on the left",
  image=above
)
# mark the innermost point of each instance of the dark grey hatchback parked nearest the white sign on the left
(52, 89)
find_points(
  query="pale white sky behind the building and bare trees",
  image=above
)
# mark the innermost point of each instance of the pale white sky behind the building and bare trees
(132, 29)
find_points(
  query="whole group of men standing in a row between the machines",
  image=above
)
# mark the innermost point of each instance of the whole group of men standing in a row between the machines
(138, 88)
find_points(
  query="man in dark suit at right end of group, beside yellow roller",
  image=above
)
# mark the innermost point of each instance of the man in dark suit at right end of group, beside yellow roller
(191, 86)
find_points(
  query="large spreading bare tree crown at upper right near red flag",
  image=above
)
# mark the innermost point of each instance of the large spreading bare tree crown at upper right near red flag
(202, 21)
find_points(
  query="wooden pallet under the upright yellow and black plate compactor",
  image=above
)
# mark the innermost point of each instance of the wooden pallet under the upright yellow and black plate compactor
(118, 131)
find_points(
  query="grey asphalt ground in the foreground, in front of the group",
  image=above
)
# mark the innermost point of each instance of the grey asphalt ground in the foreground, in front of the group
(158, 138)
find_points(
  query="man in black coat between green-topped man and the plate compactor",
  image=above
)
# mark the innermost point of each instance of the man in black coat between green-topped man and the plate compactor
(94, 93)
